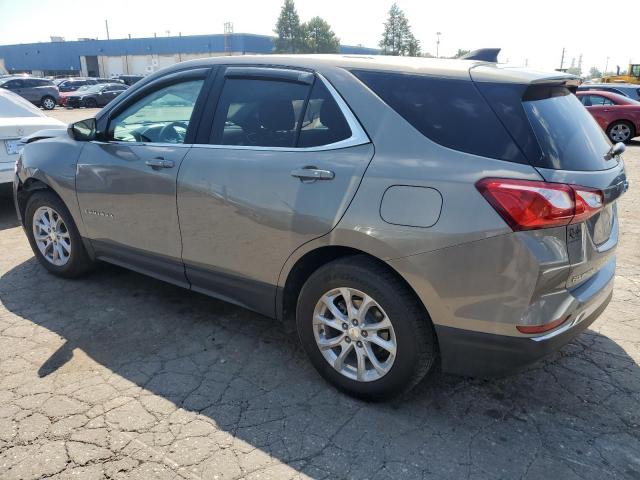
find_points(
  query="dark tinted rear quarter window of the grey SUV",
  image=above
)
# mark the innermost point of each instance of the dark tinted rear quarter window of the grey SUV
(450, 112)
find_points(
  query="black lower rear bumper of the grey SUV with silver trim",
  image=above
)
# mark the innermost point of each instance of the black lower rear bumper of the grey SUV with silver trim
(487, 355)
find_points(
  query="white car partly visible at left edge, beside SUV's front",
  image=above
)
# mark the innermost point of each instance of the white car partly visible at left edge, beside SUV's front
(18, 118)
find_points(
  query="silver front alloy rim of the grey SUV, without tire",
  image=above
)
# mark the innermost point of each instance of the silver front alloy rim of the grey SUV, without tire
(51, 236)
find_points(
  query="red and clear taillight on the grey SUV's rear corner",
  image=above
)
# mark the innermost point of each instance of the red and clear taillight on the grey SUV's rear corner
(529, 204)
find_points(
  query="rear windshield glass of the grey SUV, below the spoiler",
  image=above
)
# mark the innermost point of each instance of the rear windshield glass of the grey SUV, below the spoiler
(567, 134)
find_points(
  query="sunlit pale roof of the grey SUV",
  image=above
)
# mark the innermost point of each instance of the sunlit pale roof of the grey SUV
(483, 71)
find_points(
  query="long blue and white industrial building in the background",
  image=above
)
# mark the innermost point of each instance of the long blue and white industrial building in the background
(132, 55)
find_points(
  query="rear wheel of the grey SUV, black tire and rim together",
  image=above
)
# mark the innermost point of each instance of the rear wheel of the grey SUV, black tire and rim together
(364, 330)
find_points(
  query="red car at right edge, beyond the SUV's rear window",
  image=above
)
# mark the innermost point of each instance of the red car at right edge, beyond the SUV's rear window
(618, 116)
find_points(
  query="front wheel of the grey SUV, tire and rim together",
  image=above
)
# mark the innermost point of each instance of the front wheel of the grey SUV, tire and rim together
(54, 237)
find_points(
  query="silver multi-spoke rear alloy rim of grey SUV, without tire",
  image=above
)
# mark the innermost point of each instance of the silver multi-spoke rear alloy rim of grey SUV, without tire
(354, 334)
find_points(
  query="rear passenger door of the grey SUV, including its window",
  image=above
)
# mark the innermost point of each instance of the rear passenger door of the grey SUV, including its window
(284, 157)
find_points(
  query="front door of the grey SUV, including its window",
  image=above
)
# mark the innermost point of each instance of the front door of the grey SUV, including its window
(126, 183)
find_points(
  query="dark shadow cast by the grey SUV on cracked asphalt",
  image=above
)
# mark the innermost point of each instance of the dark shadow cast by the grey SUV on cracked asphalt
(575, 413)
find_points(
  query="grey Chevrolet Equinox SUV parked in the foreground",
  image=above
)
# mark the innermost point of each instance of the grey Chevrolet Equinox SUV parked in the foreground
(392, 209)
